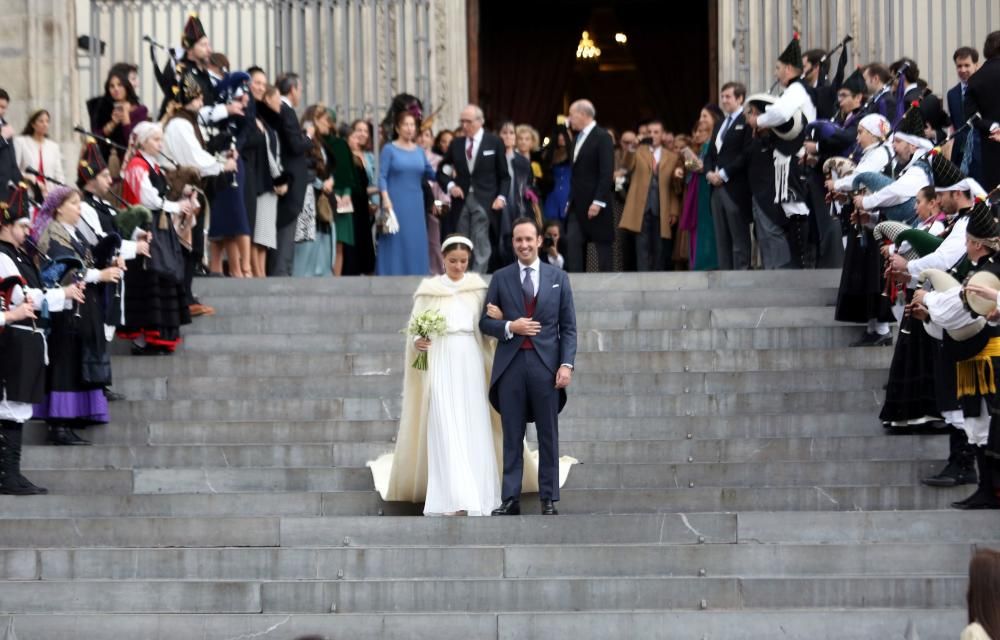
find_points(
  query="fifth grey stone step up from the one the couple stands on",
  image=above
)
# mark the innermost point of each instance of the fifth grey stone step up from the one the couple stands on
(579, 406)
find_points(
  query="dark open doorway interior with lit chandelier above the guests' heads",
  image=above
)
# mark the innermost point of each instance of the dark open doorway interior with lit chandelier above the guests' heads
(528, 70)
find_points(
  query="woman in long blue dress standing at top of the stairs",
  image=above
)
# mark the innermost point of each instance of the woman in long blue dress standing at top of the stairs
(403, 169)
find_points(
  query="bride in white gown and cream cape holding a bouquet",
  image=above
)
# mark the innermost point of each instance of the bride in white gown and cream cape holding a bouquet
(449, 446)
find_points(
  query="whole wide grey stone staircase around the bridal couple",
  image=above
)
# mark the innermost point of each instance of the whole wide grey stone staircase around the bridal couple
(735, 483)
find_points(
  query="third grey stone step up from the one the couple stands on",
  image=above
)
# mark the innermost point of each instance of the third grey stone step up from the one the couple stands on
(873, 450)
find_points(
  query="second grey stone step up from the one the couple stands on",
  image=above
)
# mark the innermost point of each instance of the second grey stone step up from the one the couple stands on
(586, 476)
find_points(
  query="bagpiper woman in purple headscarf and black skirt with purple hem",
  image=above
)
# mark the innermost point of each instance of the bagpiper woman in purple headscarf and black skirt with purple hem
(79, 368)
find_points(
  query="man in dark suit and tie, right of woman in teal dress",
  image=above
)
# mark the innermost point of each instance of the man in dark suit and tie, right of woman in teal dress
(726, 170)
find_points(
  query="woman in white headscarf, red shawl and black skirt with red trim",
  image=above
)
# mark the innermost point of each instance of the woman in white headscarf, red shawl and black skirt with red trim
(155, 298)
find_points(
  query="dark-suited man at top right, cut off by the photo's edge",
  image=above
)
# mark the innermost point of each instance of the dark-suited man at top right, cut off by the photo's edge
(983, 98)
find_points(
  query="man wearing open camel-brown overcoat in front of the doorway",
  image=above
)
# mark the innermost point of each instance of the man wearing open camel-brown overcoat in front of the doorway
(652, 206)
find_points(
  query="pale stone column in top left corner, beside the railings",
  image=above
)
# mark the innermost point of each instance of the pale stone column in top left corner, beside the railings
(39, 61)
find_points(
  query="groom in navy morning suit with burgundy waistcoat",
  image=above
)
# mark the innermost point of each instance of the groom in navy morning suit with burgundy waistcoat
(533, 363)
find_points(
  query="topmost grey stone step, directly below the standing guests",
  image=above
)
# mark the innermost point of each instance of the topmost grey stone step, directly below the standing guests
(582, 282)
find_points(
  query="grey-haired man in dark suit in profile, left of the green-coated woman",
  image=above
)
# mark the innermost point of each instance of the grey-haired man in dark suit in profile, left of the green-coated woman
(294, 147)
